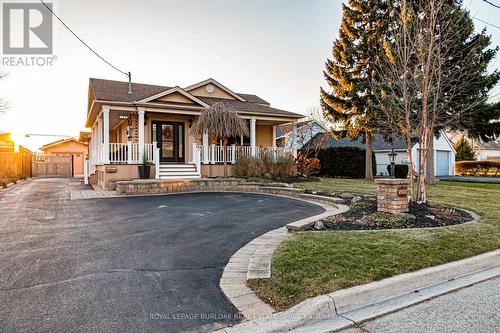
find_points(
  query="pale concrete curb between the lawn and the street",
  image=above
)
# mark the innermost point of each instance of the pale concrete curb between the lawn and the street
(346, 300)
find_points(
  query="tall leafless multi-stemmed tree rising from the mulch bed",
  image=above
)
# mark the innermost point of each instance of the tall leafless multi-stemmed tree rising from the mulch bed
(418, 86)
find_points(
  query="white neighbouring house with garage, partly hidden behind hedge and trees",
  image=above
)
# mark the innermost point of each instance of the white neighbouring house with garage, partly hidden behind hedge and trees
(444, 153)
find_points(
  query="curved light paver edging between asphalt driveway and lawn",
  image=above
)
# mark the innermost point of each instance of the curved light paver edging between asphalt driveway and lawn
(253, 261)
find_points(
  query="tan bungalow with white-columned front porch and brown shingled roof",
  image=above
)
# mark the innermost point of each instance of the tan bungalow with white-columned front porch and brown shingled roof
(132, 121)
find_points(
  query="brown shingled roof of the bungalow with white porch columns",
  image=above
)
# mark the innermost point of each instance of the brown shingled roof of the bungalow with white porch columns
(108, 91)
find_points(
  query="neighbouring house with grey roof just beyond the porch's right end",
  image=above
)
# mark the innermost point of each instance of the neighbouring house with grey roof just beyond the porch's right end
(306, 130)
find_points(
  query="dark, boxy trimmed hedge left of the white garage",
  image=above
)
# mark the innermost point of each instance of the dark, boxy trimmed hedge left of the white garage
(344, 162)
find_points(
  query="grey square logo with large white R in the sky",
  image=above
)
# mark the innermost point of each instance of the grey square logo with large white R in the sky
(27, 28)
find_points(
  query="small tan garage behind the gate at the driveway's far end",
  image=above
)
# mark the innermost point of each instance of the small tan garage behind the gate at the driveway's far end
(69, 147)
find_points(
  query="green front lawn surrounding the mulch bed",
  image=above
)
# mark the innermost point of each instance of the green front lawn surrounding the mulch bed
(314, 263)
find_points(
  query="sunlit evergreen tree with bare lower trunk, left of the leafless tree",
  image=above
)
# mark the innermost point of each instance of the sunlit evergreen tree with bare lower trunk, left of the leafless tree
(351, 71)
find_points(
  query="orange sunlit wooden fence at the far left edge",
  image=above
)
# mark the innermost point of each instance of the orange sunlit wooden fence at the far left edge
(15, 165)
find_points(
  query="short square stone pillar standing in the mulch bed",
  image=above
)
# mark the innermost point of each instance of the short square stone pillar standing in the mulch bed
(392, 195)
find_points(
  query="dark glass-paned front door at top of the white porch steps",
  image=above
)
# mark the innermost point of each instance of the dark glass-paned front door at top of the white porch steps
(170, 139)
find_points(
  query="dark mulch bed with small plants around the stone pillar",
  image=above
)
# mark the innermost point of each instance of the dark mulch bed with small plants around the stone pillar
(363, 215)
